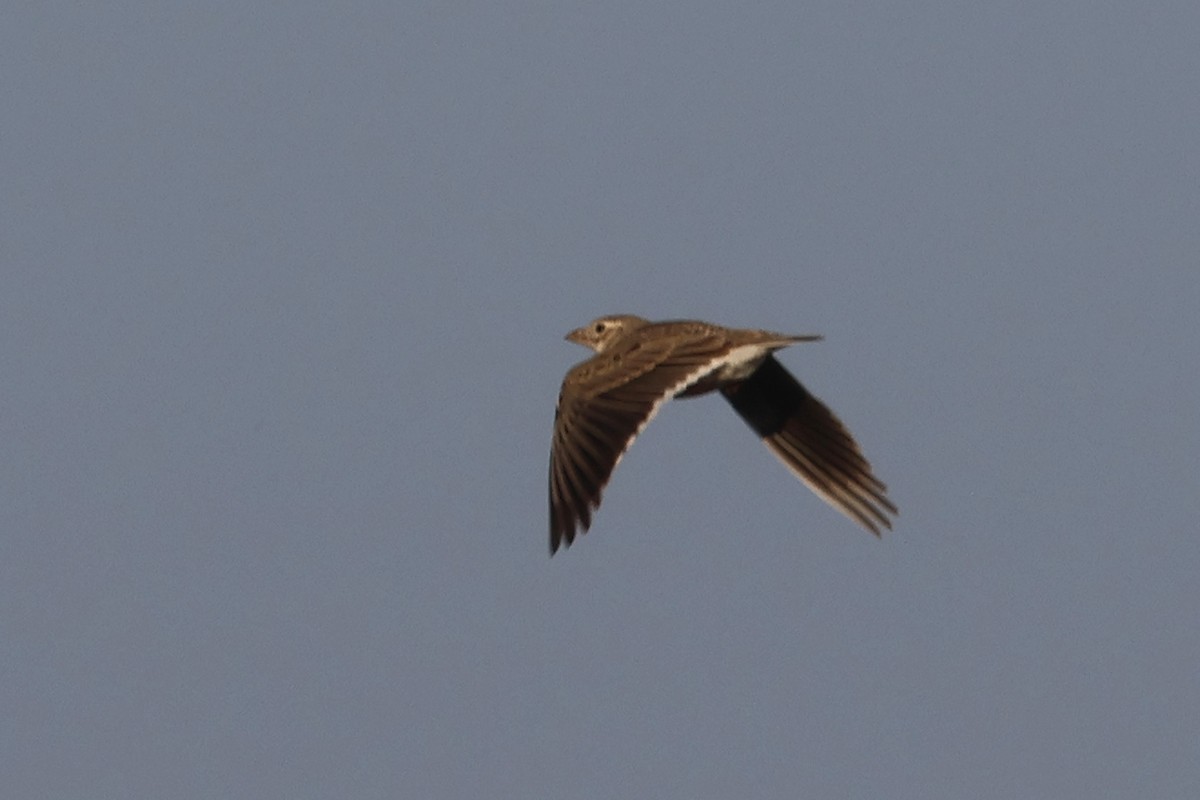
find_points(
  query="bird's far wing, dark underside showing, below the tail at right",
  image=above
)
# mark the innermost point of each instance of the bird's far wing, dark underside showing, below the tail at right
(812, 443)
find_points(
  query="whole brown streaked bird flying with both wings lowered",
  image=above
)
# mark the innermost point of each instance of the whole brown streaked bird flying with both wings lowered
(608, 400)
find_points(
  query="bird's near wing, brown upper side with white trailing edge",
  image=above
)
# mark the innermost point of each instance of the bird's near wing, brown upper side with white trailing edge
(604, 405)
